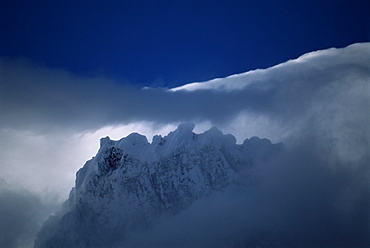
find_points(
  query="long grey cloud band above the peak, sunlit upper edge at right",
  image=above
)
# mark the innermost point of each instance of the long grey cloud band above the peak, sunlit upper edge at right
(40, 98)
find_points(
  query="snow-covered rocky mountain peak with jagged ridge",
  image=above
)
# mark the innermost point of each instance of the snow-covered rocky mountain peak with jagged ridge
(130, 183)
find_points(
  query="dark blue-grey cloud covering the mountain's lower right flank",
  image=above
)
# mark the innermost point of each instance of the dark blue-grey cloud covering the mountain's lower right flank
(296, 201)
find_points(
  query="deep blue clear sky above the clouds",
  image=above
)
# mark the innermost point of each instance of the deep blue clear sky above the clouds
(169, 43)
